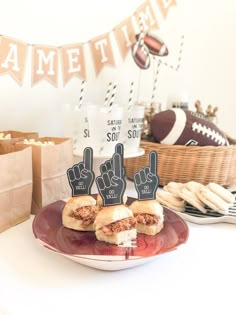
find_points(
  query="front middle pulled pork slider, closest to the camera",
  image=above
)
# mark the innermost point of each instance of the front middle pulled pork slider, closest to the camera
(115, 225)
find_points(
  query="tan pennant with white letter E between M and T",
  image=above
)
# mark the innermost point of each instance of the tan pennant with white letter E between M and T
(73, 64)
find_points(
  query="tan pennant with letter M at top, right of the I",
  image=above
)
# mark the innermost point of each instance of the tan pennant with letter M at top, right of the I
(146, 13)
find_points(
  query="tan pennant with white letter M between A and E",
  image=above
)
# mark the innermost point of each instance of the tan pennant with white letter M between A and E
(45, 64)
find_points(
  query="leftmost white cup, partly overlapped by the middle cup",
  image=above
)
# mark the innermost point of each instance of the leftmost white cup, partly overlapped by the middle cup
(76, 127)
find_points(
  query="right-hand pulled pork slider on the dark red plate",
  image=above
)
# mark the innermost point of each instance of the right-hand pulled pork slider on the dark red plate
(149, 216)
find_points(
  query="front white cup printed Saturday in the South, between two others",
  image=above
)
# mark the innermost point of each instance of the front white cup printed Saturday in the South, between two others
(105, 128)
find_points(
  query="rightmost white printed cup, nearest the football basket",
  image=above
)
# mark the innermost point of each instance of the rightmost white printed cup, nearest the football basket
(132, 128)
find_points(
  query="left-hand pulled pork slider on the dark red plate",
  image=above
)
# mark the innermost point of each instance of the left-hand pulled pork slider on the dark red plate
(79, 213)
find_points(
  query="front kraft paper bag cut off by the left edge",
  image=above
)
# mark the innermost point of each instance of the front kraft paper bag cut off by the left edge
(15, 187)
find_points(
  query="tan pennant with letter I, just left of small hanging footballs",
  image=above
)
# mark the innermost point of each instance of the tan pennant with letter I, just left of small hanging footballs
(125, 36)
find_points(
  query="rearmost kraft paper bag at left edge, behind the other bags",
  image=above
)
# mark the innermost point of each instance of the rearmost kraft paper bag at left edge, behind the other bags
(8, 144)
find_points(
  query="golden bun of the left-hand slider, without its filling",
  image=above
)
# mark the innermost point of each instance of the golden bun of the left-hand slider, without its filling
(73, 204)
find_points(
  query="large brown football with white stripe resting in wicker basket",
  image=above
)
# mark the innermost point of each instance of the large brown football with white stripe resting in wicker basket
(177, 126)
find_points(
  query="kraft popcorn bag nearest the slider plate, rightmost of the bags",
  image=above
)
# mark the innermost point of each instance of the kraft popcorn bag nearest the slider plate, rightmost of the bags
(50, 164)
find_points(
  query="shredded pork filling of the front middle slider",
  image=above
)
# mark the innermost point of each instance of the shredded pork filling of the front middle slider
(119, 226)
